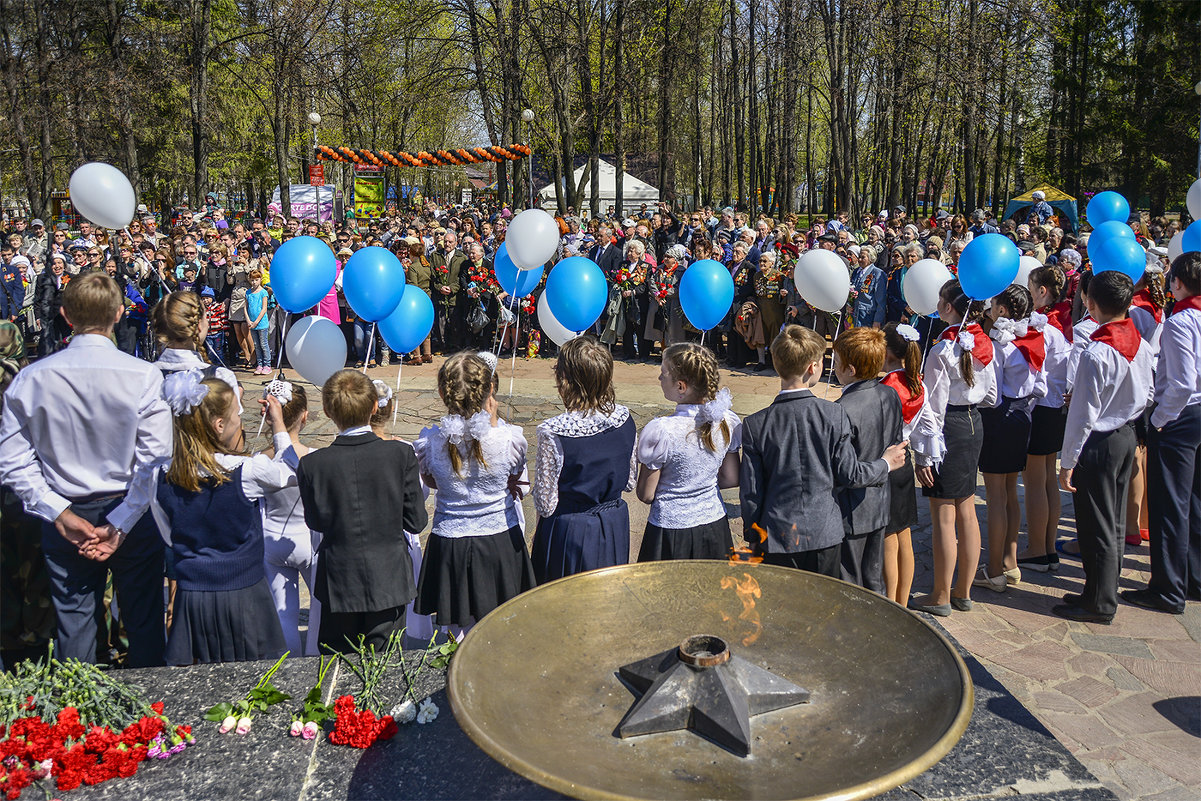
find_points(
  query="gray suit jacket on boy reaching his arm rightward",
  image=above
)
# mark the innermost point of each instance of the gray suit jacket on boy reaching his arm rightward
(796, 453)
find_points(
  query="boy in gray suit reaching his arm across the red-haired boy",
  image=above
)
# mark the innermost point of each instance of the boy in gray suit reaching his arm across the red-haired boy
(796, 453)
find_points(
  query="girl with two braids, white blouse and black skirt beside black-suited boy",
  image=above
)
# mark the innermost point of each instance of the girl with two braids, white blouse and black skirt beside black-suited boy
(476, 558)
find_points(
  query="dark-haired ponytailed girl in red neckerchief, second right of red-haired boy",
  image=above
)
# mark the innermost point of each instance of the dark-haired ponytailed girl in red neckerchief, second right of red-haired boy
(947, 447)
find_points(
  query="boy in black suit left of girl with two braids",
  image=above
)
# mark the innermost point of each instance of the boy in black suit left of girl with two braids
(362, 493)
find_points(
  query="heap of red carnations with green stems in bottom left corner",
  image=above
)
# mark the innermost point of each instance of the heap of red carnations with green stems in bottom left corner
(73, 724)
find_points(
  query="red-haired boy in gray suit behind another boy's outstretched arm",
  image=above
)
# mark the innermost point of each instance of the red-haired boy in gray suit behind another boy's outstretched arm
(875, 415)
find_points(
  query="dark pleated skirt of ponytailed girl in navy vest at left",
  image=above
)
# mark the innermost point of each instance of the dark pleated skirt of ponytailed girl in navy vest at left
(225, 626)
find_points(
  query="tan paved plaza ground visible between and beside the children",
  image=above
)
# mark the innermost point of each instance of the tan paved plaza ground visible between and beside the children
(1126, 700)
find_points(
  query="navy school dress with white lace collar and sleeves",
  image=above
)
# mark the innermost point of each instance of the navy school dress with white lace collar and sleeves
(585, 463)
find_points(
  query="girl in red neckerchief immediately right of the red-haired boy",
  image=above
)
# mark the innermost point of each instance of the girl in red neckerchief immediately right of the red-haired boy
(903, 369)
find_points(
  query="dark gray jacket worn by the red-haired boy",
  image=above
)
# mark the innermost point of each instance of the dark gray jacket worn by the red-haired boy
(875, 414)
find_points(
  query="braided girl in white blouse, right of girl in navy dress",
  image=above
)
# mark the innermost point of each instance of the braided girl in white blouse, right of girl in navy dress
(685, 459)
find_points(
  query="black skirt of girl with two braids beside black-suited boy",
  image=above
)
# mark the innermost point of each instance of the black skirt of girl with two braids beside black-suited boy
(465, 578)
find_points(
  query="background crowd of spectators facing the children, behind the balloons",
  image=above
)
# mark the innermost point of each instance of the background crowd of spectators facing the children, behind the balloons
(449, 253)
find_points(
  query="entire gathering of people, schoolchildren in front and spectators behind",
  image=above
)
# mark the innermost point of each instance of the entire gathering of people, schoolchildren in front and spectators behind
(138, 468)
